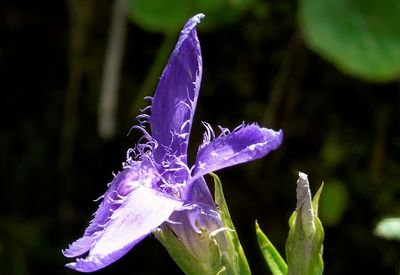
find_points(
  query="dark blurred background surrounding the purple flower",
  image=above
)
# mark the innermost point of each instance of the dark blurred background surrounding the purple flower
(338, 129)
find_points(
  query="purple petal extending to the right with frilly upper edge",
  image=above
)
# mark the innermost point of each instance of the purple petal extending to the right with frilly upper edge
(245, 144)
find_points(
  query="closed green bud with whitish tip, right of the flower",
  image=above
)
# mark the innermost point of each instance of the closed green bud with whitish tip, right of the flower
(305, 241)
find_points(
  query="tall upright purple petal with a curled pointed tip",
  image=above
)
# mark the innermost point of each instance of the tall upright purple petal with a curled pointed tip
(176, 95)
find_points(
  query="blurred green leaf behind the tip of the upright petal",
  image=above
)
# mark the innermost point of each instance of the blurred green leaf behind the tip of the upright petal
(169, 16)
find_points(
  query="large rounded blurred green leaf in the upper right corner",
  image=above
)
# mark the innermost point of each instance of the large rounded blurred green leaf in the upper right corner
(361, 37)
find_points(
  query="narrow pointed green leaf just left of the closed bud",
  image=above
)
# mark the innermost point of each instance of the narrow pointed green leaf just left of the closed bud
(276, 263)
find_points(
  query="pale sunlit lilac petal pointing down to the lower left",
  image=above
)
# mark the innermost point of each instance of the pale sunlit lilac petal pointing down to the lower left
(140, 213)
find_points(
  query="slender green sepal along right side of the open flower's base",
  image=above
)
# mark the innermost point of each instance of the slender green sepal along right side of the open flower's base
(236, 254)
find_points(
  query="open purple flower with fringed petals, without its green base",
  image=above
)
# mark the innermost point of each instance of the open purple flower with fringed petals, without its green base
(156, 186)
